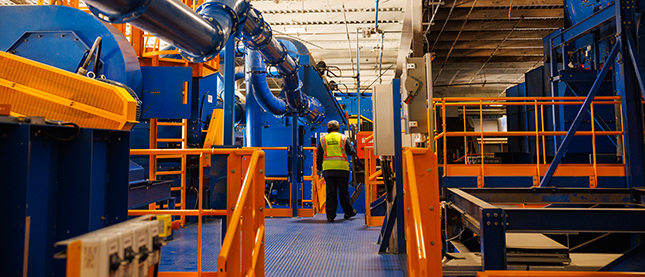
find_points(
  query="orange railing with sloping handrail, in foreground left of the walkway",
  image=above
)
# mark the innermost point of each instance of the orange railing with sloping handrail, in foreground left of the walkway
(247, 196)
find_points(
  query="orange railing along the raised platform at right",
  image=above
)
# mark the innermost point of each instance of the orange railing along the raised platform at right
(537, 103)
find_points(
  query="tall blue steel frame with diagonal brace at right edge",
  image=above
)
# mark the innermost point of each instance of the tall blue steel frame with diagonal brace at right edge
(628, 81)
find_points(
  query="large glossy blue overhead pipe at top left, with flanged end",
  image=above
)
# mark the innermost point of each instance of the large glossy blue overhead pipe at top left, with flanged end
(199, 36)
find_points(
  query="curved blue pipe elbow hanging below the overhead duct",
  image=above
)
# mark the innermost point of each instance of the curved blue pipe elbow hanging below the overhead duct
(255, 72)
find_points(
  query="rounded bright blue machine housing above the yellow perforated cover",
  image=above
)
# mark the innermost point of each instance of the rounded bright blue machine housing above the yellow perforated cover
(62, 36)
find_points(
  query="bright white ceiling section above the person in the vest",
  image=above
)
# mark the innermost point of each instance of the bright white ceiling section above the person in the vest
(329, 30)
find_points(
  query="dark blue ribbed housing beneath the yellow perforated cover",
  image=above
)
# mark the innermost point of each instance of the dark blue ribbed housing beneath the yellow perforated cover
(57, 190)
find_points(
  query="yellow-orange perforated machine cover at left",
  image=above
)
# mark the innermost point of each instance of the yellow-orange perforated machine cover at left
(37, 89)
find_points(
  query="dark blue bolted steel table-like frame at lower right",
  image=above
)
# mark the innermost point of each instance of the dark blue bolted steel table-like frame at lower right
(565, 213)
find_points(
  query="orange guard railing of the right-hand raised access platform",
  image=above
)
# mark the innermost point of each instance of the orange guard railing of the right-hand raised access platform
(539, 167)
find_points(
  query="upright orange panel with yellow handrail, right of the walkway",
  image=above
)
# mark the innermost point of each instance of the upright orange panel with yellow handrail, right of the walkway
(422, 212)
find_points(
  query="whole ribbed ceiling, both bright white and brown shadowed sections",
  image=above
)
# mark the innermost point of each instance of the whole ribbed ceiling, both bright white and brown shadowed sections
(481, 47)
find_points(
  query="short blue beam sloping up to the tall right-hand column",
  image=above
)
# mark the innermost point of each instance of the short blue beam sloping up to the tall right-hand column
(590, 24)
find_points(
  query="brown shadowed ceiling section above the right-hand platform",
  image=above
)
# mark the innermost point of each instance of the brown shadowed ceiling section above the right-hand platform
(482, 47)
